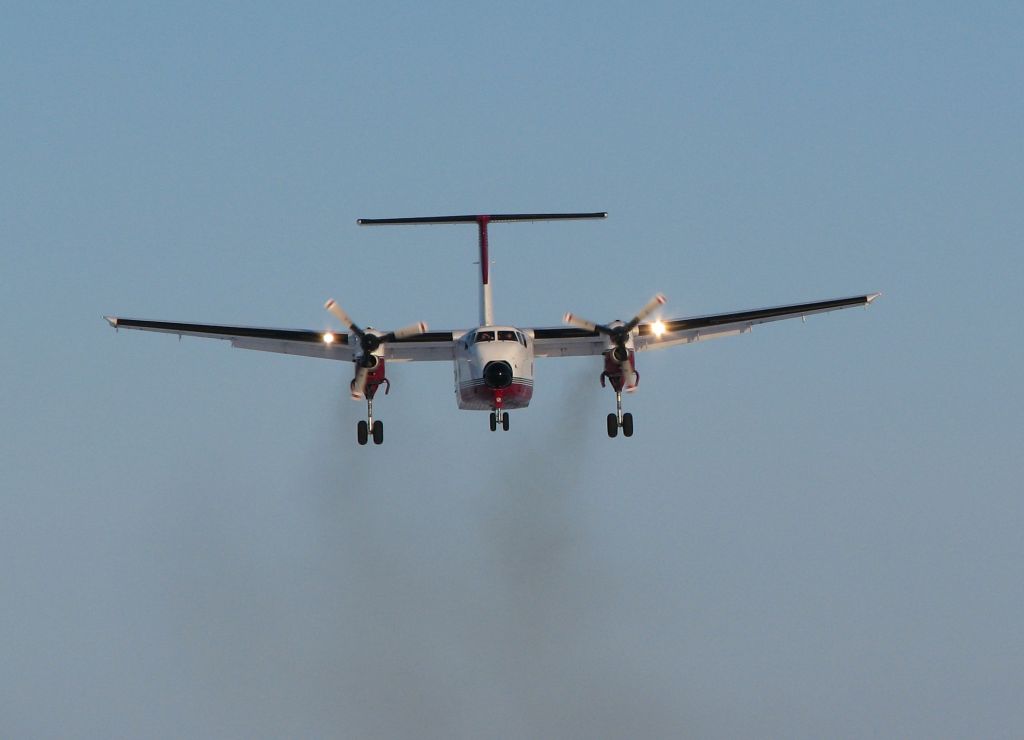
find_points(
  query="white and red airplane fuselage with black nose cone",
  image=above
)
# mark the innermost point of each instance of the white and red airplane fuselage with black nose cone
(494, 369)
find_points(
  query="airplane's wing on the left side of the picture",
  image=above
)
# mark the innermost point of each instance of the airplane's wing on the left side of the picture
(309, 343)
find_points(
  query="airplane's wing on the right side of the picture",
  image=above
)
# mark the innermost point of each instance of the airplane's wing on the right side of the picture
(569, 341)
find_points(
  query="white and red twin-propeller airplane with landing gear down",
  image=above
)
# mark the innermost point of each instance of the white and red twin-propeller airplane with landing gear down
(494, 365)
